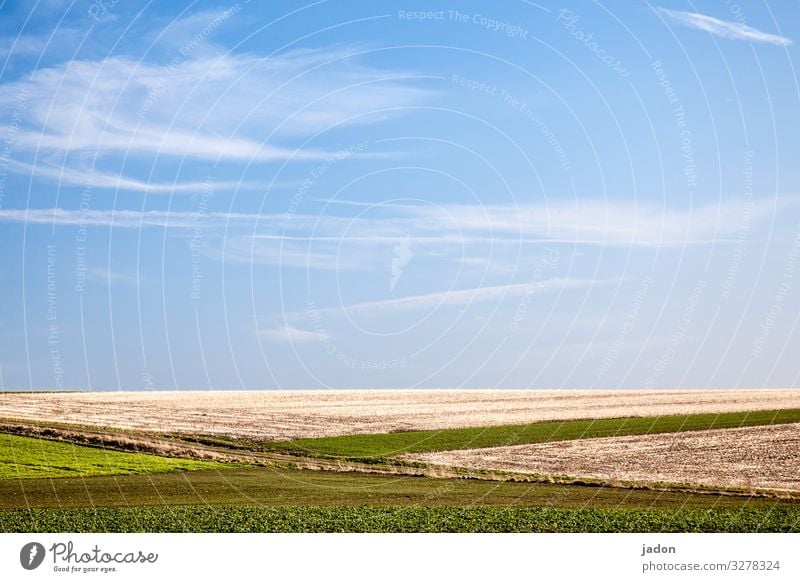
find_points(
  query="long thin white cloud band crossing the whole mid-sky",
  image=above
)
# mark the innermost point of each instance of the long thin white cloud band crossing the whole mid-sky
(591, 223)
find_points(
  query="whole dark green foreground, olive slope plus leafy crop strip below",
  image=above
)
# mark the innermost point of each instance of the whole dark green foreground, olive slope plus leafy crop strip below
(267, 500)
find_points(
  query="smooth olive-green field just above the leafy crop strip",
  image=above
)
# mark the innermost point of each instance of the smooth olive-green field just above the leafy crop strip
(283, 487)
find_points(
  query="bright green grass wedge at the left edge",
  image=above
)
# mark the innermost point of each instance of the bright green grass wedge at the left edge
(26, 458)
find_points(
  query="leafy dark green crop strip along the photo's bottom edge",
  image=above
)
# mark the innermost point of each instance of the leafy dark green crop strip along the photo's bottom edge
(396, 519)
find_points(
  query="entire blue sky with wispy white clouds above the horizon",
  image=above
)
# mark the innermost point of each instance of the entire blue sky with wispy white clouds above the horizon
(408, 194)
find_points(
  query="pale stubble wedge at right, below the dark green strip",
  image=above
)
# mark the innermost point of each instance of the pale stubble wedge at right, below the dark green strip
(763, 457)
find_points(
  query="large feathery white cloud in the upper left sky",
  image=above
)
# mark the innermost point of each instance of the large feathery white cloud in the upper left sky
(230, 107)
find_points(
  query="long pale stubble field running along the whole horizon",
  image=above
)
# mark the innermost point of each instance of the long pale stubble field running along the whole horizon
(281, 415)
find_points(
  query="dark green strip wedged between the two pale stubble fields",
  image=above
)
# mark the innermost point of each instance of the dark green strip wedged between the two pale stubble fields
(380, 446)
